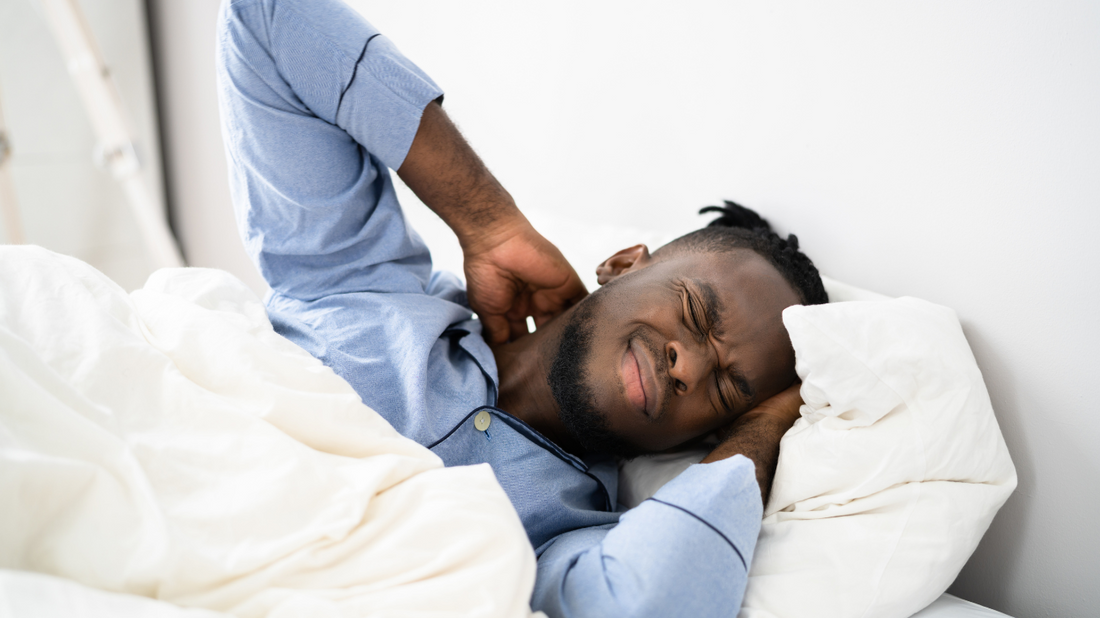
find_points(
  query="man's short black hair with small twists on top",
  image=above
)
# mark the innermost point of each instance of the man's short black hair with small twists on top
(742, 228)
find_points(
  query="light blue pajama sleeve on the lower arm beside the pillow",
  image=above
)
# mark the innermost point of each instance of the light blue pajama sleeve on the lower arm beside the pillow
(684, 553)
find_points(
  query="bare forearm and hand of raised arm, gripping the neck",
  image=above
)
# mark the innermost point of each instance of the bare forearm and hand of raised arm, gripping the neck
(512, 271)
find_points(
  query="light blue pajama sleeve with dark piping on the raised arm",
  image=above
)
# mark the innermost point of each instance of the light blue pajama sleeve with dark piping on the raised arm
(316, 105)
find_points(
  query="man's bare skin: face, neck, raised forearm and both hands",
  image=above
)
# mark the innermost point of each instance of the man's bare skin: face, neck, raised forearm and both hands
(678, 345)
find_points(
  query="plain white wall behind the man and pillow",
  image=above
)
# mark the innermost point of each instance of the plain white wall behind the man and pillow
(947, 150)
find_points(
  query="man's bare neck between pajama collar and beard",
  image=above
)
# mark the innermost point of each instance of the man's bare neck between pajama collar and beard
(523, 367)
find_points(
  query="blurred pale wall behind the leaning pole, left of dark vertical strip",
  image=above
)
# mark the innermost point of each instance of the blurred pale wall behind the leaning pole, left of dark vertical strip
(67, 203)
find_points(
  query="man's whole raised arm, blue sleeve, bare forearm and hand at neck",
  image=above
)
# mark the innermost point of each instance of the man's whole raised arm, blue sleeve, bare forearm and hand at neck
(305, 89)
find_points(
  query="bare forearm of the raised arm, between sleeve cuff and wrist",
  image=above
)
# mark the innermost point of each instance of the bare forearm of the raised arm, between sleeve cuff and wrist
(450, 179)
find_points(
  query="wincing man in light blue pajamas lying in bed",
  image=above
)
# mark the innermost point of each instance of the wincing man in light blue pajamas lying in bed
(316, 106)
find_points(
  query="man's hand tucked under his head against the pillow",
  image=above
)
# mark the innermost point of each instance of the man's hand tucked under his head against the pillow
(756, 435)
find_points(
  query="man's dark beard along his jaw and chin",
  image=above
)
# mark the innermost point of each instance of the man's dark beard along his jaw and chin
(569, 383)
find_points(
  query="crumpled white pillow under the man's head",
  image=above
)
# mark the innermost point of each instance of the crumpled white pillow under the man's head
(892, 477)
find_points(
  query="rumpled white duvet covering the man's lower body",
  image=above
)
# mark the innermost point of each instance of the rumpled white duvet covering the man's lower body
(167, 450)
